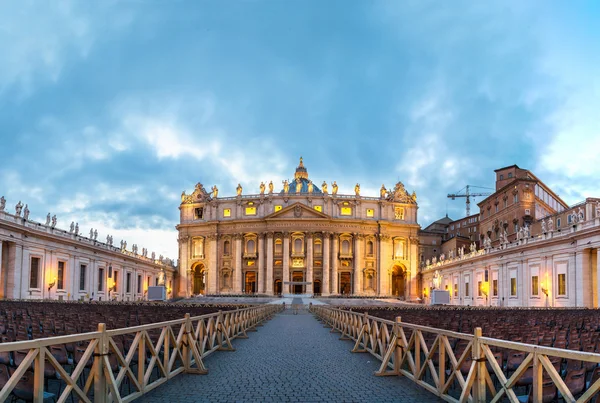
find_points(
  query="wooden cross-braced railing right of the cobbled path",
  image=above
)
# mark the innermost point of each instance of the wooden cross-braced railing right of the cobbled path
(428, 357)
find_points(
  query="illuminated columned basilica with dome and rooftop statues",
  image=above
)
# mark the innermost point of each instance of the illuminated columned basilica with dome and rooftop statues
(302, 239)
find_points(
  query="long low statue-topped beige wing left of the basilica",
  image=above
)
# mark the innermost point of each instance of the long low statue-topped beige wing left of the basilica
(42, 261)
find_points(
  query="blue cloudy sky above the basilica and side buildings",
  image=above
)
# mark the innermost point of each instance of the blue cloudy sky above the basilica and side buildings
(109, 109)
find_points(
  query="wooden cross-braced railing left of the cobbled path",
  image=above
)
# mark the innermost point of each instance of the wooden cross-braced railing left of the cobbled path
(157, 353)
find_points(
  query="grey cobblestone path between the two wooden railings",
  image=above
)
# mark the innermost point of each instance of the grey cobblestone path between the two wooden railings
(292, 358)
